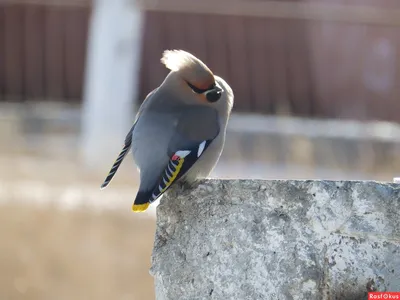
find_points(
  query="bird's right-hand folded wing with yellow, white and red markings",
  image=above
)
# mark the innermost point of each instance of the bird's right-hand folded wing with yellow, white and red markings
(196, 129)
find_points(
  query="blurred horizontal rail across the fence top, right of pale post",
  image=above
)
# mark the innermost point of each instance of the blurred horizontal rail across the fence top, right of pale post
(307, 10)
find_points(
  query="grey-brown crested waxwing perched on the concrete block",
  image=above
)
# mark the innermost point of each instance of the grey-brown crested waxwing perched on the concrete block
(179, 130)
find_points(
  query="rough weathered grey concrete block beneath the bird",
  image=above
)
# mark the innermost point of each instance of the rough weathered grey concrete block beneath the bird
(254, 239)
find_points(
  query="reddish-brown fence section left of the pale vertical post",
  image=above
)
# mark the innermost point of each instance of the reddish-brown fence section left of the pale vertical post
(42, 51)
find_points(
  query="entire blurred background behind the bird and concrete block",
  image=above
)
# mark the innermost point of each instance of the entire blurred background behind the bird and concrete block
(317, 87)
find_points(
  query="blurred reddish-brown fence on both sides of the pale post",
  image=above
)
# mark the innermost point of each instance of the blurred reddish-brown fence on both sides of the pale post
(307, 59)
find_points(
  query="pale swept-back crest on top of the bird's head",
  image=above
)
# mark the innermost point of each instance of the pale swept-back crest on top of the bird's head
(190, 68)
